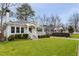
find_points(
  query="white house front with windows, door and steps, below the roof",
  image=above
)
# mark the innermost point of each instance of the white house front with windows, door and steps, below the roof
(13, 29)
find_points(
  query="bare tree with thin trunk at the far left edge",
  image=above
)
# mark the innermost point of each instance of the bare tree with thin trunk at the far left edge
(3, 8)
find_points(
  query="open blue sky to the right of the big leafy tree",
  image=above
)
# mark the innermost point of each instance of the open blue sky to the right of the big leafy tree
(64, 10)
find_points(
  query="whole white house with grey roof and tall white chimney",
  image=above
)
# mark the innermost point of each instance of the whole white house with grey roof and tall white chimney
(19, 27)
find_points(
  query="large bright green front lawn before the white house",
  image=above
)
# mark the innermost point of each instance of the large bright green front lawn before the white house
(42, 47)
